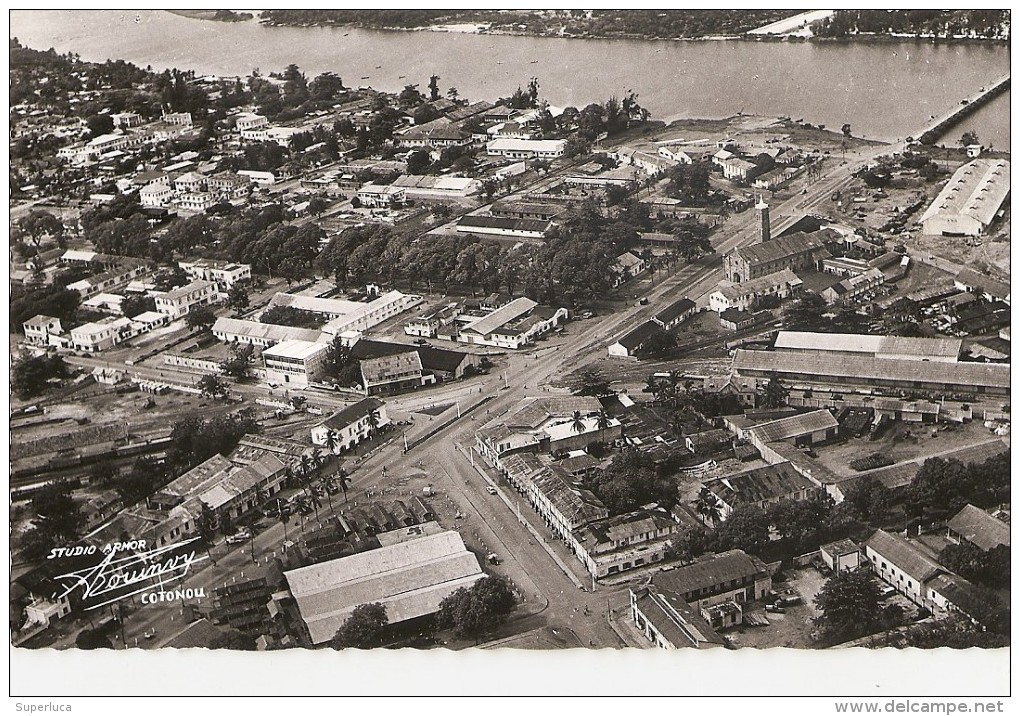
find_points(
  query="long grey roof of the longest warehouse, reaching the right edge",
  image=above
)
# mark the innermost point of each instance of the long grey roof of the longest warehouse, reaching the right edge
(865, 368)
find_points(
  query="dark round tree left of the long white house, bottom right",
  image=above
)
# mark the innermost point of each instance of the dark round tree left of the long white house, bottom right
(850, 605)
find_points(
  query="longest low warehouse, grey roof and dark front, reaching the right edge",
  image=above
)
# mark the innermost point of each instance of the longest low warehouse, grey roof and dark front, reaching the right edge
(894, 377)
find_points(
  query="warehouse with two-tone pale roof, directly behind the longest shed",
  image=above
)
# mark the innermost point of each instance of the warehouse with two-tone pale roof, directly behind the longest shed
(946, 350)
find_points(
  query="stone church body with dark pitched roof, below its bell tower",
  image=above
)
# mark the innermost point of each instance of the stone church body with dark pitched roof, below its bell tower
(796, 252)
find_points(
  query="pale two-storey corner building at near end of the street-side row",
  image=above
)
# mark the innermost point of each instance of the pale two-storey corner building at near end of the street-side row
(625, 542)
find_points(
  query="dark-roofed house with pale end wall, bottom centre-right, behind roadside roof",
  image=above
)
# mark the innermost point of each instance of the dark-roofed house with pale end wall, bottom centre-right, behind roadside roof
(727, 577)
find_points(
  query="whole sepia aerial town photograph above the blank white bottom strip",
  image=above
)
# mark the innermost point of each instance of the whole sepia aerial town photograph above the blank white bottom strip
(509, 330)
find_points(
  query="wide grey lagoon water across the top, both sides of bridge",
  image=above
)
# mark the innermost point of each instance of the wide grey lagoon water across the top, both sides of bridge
(886, 91)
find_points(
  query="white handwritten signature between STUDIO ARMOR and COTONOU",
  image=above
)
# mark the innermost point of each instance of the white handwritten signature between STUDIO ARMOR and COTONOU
(116, 575)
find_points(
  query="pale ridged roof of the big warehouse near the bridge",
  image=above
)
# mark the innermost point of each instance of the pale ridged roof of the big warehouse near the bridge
(977, 190)
